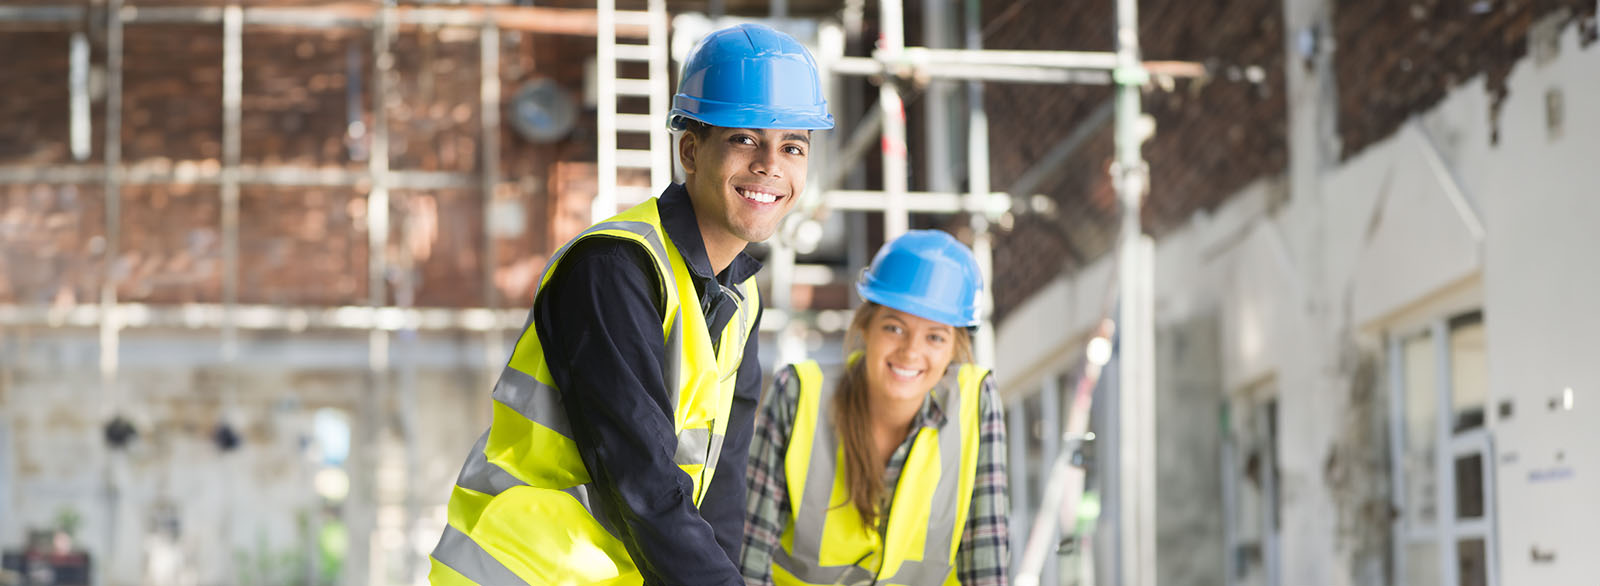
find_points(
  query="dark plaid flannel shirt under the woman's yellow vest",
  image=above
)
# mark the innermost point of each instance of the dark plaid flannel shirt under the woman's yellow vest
(983, 556)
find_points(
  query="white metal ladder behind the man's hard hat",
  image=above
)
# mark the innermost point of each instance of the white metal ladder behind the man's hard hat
(609, 196)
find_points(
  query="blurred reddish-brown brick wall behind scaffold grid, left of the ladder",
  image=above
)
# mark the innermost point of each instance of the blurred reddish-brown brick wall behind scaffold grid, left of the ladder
(298, 246)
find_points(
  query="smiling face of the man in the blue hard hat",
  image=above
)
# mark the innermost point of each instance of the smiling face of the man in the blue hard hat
(743, 182)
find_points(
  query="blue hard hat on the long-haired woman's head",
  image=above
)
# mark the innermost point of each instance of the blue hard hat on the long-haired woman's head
(927, 275)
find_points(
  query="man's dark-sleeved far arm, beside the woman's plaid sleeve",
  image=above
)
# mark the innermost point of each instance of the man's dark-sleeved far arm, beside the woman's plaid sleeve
(724, 504)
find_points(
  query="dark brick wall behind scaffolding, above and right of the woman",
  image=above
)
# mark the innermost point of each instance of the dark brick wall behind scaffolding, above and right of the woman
(1212, 137)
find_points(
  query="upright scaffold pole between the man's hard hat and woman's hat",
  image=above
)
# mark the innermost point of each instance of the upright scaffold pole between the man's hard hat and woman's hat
(895, 182)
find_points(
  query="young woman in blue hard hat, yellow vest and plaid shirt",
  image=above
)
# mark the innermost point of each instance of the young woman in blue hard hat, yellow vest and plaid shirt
(892, 472)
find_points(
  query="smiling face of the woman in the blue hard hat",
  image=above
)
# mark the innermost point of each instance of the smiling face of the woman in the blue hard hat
(906, 355)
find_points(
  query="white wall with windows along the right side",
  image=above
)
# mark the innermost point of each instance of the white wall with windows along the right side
(1306, 291)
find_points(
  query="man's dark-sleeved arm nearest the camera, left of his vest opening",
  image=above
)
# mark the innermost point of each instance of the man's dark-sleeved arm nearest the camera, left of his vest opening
(601, 327)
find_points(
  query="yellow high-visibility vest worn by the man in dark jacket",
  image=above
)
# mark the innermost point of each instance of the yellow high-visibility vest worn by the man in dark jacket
(521, 512)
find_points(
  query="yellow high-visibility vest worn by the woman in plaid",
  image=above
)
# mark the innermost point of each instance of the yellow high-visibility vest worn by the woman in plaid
(826, 540)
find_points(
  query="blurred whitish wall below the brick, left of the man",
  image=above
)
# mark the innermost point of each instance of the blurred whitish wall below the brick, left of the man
(175, 510)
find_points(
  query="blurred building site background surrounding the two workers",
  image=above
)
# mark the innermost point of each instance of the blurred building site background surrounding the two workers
(260, 263)
